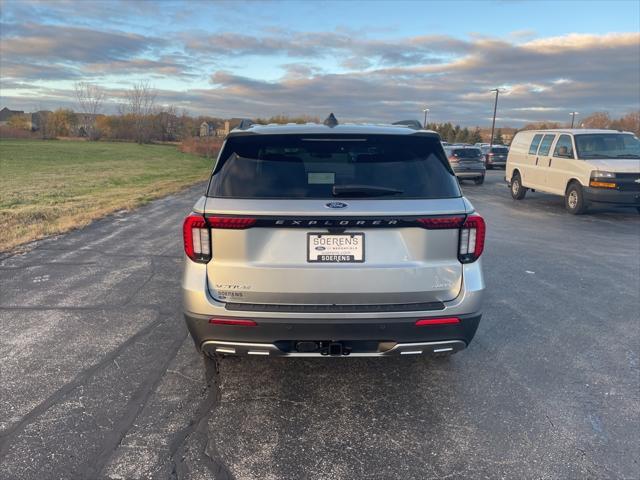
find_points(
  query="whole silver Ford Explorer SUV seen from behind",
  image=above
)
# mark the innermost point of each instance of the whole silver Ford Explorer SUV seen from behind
(332, 240)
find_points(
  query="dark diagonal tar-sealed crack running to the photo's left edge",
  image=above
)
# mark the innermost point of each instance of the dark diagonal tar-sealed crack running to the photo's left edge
(16, 429)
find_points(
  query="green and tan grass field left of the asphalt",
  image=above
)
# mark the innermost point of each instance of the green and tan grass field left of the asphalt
(49, 187)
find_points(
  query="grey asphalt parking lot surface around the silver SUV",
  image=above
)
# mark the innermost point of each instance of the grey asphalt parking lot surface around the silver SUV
(100, 380)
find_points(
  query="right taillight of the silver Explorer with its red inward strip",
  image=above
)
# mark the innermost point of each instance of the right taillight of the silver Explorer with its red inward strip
(471, 237)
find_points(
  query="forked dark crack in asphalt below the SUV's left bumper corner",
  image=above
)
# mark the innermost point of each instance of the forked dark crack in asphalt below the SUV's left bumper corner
(197, 429)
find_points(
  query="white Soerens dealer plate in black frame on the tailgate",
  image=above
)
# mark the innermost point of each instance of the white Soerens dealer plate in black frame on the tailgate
(335, 247)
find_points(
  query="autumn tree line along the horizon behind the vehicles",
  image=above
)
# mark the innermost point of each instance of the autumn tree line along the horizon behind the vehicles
(141, 120)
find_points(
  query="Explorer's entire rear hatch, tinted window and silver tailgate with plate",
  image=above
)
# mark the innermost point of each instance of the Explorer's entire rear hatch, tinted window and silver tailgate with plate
(333, 220)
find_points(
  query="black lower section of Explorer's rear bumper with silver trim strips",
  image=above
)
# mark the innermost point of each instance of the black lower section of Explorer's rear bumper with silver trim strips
(358, 337)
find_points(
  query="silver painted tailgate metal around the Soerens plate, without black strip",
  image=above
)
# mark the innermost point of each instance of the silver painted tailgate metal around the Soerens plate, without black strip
(269, 265)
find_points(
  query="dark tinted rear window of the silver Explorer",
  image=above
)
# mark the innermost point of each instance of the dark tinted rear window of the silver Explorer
(326, 166)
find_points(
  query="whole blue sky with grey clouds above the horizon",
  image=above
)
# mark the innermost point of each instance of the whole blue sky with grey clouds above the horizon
(365, 61)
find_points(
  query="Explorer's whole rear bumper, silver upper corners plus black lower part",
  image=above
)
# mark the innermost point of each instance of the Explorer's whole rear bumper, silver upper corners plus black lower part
(368, 333)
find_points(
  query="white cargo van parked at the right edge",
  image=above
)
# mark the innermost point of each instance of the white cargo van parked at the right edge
(582, 165)
